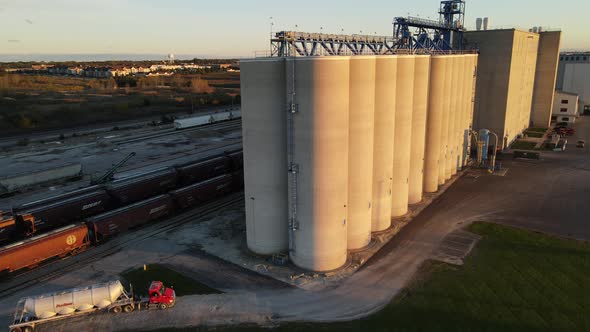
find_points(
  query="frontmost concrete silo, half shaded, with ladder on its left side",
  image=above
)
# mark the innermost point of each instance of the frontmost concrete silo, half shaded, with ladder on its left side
(320, 153)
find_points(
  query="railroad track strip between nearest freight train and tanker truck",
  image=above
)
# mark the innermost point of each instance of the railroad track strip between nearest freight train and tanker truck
(54, 269)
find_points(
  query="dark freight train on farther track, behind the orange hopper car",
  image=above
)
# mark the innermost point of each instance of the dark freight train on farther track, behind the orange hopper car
(50, 213)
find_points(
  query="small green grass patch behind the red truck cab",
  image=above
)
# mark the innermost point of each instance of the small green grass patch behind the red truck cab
(182, 284)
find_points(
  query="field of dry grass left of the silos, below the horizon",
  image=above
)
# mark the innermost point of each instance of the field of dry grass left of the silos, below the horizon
(31, 103)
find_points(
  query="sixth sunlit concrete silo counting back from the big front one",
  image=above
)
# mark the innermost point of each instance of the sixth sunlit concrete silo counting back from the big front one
(434, 123)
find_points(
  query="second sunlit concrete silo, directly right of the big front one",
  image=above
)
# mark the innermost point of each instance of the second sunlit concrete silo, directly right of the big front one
(360, 150)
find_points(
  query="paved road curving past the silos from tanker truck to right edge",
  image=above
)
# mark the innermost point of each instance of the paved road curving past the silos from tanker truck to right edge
(546, 195)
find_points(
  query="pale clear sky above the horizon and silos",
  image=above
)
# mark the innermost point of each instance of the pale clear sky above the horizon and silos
(239, 28)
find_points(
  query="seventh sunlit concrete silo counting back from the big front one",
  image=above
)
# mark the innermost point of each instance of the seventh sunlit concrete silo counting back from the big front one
(444, 140)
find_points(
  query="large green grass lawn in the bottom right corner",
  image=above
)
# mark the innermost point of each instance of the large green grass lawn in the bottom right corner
(514, 280)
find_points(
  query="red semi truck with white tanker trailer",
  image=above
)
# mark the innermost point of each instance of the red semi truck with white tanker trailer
(110, 296)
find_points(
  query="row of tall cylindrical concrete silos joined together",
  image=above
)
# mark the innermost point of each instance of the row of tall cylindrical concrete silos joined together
(334, 147)
